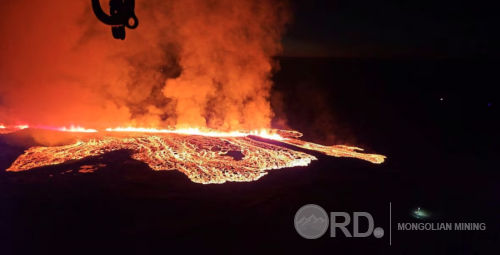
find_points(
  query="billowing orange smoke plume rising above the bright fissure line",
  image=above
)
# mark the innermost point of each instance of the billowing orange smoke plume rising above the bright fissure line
(189, 63)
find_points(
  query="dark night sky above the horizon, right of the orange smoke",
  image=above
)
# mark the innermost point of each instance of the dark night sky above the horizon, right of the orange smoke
(393, 28)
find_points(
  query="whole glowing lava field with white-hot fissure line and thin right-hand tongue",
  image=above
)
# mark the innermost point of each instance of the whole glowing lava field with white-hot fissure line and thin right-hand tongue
(204, 156)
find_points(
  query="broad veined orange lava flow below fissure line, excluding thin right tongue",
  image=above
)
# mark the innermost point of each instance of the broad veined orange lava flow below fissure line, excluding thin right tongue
(202, 158)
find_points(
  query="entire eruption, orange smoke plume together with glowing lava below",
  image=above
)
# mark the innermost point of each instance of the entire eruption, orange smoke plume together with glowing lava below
(192, 63)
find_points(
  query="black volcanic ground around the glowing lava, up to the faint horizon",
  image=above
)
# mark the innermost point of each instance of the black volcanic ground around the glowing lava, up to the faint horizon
(441, 156)
